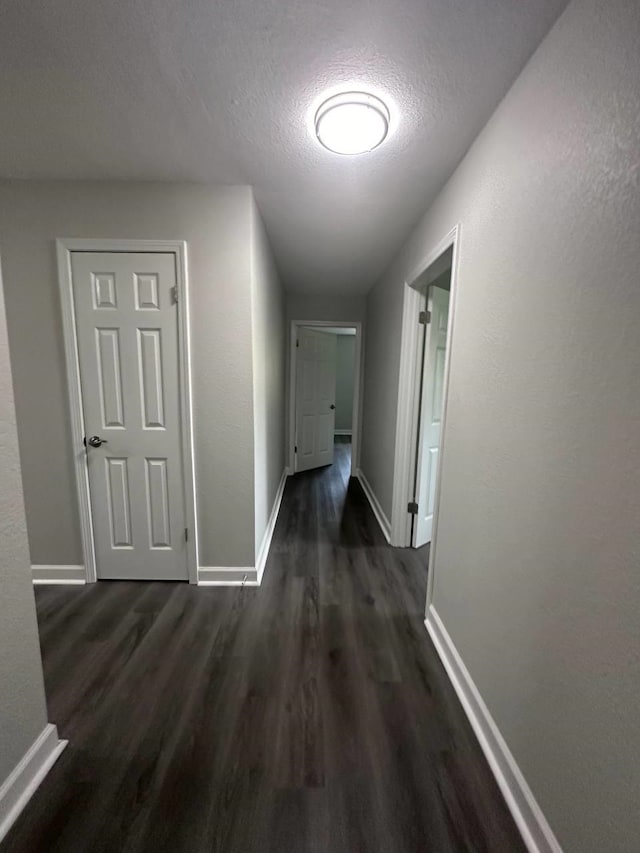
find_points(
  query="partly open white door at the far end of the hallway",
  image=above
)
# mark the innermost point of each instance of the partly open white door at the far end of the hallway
(315, 398)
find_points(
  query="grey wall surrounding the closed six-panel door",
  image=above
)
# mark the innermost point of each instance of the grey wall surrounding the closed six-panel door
(216, 223)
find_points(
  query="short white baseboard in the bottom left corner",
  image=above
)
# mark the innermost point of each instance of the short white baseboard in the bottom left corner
(23, 782)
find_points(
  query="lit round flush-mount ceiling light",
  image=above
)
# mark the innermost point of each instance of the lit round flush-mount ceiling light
(352, 123)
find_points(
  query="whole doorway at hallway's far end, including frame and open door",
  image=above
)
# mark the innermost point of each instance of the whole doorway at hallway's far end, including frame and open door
(324, 394)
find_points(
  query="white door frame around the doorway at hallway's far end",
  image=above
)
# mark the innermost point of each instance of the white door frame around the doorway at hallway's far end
(357, 385)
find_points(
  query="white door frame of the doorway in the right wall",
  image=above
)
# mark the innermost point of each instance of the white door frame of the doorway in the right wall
(409, 399)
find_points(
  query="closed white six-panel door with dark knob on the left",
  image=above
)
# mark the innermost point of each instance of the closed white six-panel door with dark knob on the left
(127, 335)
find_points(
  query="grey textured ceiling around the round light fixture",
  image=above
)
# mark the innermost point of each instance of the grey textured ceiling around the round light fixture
(224, 92)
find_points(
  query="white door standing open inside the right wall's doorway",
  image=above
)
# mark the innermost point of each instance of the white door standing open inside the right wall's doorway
(430, 414)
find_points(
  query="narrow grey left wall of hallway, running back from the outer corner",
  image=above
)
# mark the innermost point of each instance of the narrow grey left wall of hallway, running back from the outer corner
(269, 382)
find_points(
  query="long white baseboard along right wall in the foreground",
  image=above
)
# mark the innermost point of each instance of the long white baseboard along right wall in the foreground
(536, 832)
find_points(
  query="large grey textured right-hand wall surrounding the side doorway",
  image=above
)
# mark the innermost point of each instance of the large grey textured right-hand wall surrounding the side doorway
(536, 572)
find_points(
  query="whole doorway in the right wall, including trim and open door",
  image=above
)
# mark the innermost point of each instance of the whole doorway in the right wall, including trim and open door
(422, 396)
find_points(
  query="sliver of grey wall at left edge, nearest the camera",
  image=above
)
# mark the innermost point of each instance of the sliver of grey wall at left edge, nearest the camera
(23, 713)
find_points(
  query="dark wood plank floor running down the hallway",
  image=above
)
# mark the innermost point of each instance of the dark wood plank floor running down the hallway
(311, 714)
